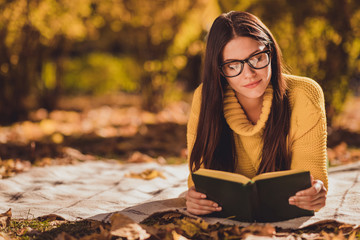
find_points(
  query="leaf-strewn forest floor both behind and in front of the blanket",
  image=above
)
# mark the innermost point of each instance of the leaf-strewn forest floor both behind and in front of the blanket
(114, 127)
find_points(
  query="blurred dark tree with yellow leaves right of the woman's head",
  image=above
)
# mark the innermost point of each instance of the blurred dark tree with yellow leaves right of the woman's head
(319, 39)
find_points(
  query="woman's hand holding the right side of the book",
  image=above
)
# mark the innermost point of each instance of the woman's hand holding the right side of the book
(312, 198)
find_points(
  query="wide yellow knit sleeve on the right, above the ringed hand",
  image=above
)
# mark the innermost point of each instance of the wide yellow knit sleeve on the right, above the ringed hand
(308, 134)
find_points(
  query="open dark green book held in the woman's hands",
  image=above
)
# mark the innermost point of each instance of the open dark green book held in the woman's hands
(264, 198)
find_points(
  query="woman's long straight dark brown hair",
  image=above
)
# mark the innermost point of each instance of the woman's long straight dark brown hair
(214, 146)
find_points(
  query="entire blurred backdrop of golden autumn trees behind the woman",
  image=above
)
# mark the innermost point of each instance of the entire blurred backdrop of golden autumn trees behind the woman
(148, 46)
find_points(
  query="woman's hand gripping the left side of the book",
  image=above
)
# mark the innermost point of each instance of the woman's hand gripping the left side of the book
(198, 205)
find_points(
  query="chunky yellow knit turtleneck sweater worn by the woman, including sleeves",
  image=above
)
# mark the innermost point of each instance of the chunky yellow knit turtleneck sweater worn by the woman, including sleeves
(307, 135)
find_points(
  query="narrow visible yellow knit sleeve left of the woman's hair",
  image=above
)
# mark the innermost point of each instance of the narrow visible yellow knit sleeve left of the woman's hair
(192, 125)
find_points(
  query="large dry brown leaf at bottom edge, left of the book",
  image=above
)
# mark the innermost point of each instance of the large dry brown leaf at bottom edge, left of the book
(123, 226)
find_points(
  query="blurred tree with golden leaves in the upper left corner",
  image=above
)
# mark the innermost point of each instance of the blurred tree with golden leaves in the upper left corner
(33, 33)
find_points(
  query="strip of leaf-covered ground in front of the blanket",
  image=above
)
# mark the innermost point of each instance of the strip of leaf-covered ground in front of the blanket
(169, 225)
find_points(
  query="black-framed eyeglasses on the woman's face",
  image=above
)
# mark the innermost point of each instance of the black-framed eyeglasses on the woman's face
(235, 67)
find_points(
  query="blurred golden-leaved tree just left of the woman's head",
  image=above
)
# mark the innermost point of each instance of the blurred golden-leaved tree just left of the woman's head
(161, 36)
